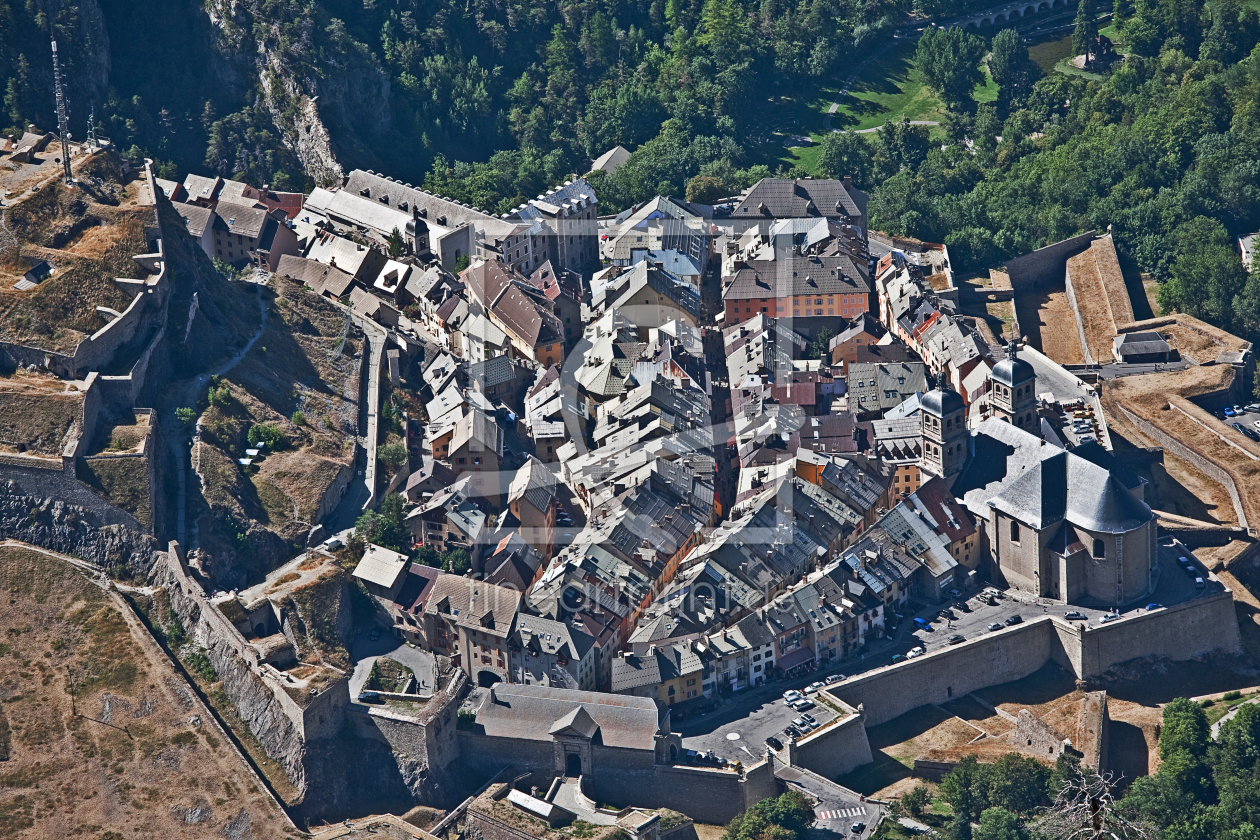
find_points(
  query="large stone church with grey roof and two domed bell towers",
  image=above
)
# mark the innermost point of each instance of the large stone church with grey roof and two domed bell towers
(1070, 526)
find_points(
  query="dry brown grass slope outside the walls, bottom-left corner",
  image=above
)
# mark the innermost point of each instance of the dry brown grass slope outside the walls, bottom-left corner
(123, 758)
